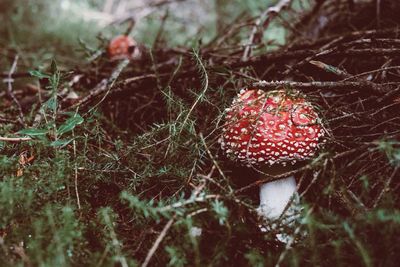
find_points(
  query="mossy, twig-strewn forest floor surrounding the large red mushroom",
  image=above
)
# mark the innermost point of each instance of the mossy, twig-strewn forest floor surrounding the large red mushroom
(117, 162)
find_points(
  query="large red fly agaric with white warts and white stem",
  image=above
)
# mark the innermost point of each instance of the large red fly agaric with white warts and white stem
(271, 131)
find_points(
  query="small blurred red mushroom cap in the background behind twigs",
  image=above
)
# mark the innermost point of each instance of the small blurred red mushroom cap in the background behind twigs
(123, 47)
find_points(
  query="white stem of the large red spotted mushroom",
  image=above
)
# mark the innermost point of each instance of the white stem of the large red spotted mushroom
(274, 197)
